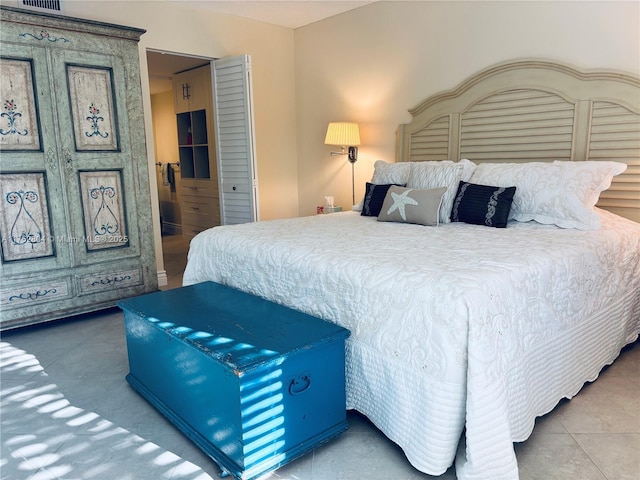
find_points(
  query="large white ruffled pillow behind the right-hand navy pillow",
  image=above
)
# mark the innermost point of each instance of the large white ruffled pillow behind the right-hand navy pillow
(561, 193)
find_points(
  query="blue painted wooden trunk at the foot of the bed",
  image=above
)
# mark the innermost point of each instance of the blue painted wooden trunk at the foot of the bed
(252, 383)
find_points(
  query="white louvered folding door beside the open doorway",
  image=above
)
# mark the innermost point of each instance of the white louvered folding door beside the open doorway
(233, 106)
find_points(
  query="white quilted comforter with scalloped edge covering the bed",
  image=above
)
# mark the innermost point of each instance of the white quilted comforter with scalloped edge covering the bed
(452, 327)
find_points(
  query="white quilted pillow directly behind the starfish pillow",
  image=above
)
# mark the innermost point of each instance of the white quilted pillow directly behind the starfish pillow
(428, 175)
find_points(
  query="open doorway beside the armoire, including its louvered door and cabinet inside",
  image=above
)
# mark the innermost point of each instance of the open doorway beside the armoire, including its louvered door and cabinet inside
(214, 170)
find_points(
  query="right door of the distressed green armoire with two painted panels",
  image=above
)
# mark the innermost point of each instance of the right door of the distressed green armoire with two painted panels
(99, 166)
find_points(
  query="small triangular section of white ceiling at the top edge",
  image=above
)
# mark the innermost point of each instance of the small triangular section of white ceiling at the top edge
(286, 13)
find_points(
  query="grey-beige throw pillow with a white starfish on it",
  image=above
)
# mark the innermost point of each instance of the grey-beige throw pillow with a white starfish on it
(409, 205)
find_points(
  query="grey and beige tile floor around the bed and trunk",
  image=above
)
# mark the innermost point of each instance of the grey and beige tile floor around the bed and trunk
(67, 413)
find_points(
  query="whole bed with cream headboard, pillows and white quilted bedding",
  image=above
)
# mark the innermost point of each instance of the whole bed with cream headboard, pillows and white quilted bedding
(462, 334)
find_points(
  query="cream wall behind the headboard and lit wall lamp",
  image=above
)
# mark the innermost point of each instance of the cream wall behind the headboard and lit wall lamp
(372, 64)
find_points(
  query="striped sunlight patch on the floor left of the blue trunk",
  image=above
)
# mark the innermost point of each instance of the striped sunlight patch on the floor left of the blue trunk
(70, 441)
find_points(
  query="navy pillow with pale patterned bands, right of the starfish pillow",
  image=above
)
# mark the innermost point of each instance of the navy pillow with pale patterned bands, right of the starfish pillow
(482, 204)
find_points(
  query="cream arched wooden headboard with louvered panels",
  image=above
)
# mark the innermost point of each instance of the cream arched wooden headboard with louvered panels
(535, 110)
